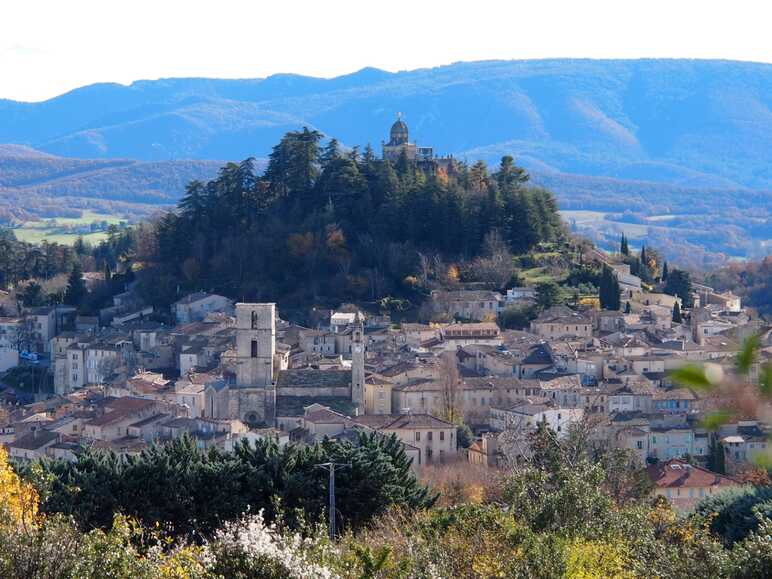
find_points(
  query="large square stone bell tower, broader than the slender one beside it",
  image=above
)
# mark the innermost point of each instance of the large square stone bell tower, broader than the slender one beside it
(253, 399)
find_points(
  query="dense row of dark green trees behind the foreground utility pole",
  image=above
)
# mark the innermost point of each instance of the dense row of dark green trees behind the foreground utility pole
(212, 486)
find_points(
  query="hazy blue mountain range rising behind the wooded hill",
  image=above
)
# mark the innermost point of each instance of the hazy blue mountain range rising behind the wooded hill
(600, 132)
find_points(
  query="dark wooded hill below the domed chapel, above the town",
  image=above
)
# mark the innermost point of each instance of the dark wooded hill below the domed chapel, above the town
(320, 223)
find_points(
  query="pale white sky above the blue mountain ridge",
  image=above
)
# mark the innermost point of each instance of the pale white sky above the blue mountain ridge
(50, 46)
